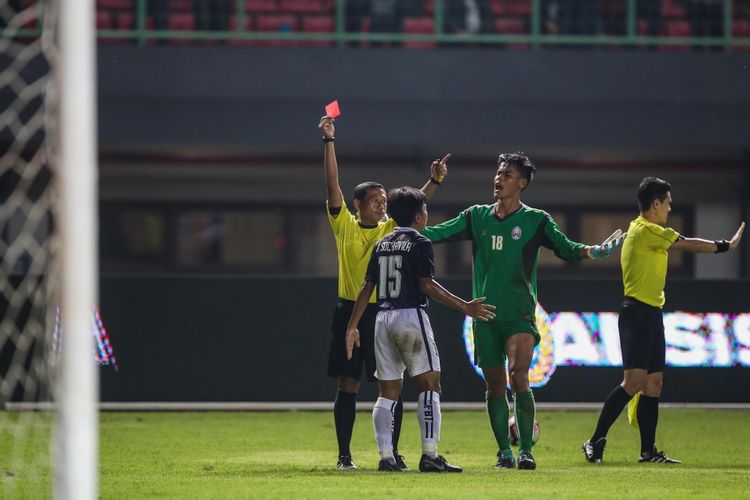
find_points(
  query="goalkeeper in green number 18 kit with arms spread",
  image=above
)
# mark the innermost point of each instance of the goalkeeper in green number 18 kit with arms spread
(506, 237)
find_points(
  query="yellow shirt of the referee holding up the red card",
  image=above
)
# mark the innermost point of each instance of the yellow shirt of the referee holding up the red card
(354, 246)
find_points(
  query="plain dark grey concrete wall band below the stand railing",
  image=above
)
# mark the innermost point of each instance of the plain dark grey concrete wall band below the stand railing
(627, 101)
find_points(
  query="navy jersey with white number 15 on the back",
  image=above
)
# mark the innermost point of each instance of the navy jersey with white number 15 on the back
(396, 264)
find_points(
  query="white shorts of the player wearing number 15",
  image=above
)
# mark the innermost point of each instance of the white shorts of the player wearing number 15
(404, 341)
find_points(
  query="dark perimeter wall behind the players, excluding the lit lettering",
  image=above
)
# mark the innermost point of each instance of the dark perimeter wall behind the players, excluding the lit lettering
(266, 339)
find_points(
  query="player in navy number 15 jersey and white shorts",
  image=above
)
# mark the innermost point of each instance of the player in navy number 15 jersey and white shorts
(401, 266)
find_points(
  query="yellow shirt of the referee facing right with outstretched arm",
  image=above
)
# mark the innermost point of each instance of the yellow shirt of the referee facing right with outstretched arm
(644, 260)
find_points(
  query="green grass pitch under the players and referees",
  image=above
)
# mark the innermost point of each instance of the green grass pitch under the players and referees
(293, 455)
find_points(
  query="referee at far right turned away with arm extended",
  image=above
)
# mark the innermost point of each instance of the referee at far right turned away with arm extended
(644, 272)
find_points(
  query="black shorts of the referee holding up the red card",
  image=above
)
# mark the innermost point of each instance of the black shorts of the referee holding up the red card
(364, 356)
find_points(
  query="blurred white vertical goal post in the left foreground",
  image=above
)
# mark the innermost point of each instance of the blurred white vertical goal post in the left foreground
(76, 464)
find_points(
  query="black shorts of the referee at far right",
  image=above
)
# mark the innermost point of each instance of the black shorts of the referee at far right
(641, 336)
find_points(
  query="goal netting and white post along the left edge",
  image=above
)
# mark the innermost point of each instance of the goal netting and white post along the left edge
(47, 259)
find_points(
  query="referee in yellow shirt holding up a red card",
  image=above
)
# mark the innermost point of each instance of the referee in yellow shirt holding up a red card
(355, 238)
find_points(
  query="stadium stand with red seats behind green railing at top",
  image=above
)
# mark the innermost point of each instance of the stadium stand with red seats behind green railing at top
(513, 24)
